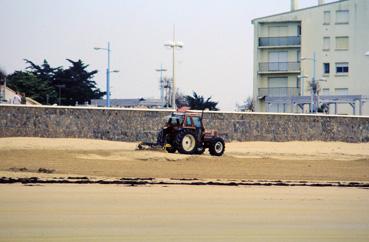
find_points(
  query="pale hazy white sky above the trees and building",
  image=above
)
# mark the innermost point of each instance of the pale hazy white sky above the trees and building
(217, 59)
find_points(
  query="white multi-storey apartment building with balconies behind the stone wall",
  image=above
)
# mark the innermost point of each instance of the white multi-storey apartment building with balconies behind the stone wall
(337, 34)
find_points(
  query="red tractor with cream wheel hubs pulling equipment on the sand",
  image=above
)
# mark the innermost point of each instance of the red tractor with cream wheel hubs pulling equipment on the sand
(184, 132)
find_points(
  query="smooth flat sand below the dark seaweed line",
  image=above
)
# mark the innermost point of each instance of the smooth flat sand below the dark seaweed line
(182, 213)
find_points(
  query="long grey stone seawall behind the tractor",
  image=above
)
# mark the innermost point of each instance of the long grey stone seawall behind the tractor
(138, 125)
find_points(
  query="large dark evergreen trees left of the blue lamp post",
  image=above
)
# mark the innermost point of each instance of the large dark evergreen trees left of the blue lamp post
(41, 82)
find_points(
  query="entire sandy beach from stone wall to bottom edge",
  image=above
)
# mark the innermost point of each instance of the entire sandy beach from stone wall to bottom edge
(288, 209)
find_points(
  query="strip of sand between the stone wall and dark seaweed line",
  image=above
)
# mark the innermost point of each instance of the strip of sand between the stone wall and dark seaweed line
(297, 161)
